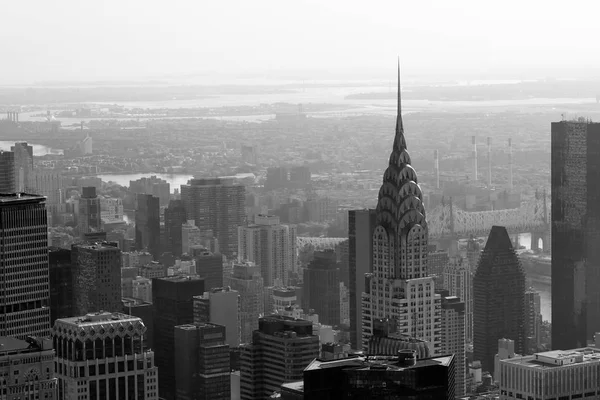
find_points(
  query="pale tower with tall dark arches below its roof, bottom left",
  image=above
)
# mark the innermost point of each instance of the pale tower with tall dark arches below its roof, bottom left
(102, 356)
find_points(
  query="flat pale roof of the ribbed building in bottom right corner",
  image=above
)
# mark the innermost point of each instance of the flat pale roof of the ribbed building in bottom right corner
(558, 358)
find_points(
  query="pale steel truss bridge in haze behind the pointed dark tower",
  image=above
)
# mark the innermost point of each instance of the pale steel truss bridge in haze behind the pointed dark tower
(447, 221)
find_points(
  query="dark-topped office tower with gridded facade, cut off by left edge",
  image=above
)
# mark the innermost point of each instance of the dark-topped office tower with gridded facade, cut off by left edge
(24, 272)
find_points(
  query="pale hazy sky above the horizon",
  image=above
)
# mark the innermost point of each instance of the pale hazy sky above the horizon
(107, 39)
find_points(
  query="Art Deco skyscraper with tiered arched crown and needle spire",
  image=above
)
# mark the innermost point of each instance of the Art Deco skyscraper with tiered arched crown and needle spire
(399, 287)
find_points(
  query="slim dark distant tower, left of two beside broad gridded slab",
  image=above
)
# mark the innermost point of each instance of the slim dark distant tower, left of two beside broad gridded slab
(147, 224)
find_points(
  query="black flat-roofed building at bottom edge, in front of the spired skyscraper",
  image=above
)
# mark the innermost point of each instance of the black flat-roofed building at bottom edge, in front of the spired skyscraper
(381, 377)
